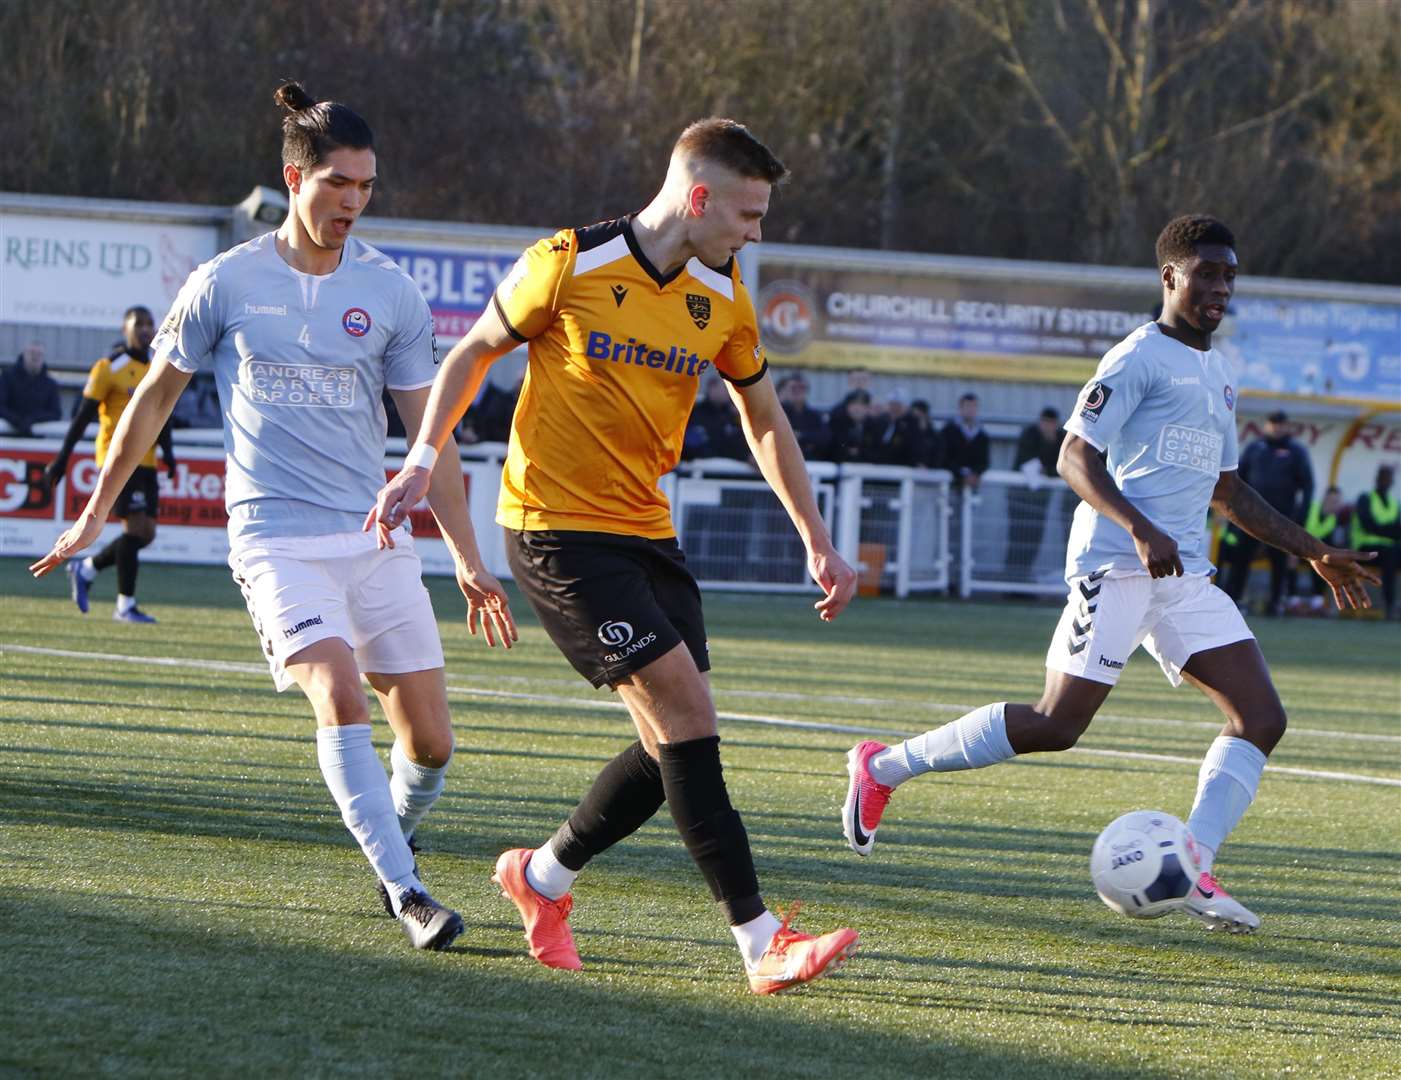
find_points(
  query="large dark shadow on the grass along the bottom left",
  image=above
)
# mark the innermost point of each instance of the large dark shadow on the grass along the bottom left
(281, 999)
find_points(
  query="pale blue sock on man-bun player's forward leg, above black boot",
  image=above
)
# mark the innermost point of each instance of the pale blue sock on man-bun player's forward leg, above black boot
(357, 780)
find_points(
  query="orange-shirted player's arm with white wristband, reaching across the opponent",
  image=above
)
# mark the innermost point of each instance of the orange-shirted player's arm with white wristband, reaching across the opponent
(455, 389)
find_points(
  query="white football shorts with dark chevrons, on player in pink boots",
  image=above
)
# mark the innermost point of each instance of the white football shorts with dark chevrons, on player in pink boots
(1106, 618)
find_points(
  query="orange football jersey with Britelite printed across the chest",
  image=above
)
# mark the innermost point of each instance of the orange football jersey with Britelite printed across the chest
(617, 352)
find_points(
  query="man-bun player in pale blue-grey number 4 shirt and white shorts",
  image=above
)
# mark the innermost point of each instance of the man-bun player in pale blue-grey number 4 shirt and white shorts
(305, 330)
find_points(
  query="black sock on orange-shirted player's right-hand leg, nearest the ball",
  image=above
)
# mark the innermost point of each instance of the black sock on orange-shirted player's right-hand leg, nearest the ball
(710, 826)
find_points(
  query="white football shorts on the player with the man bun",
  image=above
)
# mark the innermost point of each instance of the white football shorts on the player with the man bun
(305, 589)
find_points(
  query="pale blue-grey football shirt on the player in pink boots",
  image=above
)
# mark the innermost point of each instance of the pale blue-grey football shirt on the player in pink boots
(1166, 414)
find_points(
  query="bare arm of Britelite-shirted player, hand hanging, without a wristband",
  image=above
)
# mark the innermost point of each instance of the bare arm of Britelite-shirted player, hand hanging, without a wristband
(781, 462)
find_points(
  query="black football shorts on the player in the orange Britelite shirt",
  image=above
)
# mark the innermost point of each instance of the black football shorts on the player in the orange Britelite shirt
(613, 604)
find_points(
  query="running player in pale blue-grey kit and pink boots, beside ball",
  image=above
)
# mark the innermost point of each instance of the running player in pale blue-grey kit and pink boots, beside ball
(1164, 410)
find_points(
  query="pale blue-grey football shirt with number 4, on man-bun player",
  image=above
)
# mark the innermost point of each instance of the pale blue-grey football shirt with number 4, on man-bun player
(301, 362)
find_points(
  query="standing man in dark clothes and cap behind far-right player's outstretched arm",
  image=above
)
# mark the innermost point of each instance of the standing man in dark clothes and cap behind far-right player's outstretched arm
(1280, 470)
